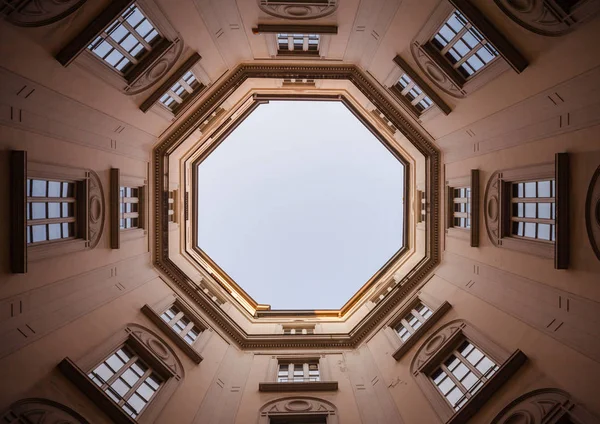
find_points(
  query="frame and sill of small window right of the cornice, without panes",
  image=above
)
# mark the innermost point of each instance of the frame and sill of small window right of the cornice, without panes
(466, 233)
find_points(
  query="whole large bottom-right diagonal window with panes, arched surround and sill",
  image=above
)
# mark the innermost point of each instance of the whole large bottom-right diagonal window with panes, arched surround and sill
(458, 369)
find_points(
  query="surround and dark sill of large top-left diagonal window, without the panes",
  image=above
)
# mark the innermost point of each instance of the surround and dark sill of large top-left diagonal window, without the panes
(139, 77)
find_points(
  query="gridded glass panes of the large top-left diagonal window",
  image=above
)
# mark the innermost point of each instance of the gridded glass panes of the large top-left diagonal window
(126, 40)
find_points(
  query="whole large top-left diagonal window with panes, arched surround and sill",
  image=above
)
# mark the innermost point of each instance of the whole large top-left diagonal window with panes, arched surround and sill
(130, 45)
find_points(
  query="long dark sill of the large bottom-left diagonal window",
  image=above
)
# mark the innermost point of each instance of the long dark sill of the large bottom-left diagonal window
(93, 392)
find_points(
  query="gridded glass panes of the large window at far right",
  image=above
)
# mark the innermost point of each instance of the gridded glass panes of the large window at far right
(533, 211)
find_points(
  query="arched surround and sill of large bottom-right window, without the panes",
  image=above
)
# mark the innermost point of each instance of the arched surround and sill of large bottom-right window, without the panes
(438, 347)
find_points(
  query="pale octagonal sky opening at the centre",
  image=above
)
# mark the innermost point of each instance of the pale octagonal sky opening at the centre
(301, 204)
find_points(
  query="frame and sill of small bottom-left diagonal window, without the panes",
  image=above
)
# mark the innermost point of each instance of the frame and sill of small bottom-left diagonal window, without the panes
(154, 313)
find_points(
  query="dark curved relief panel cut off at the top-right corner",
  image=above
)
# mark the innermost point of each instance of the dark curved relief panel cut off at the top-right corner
(547, 17)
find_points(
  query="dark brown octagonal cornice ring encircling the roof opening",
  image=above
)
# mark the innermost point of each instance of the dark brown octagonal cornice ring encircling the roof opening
(204, 109)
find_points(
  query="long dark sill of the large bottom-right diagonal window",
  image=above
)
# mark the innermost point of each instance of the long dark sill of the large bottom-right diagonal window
(508, 368)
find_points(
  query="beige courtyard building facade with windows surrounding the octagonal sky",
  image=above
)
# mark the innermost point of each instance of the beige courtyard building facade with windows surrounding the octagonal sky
(110, 312)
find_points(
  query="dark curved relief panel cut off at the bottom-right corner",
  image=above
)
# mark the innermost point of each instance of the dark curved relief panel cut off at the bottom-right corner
(543, 406)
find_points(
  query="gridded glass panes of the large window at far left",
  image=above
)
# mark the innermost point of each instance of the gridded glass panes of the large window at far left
(51, 210)
